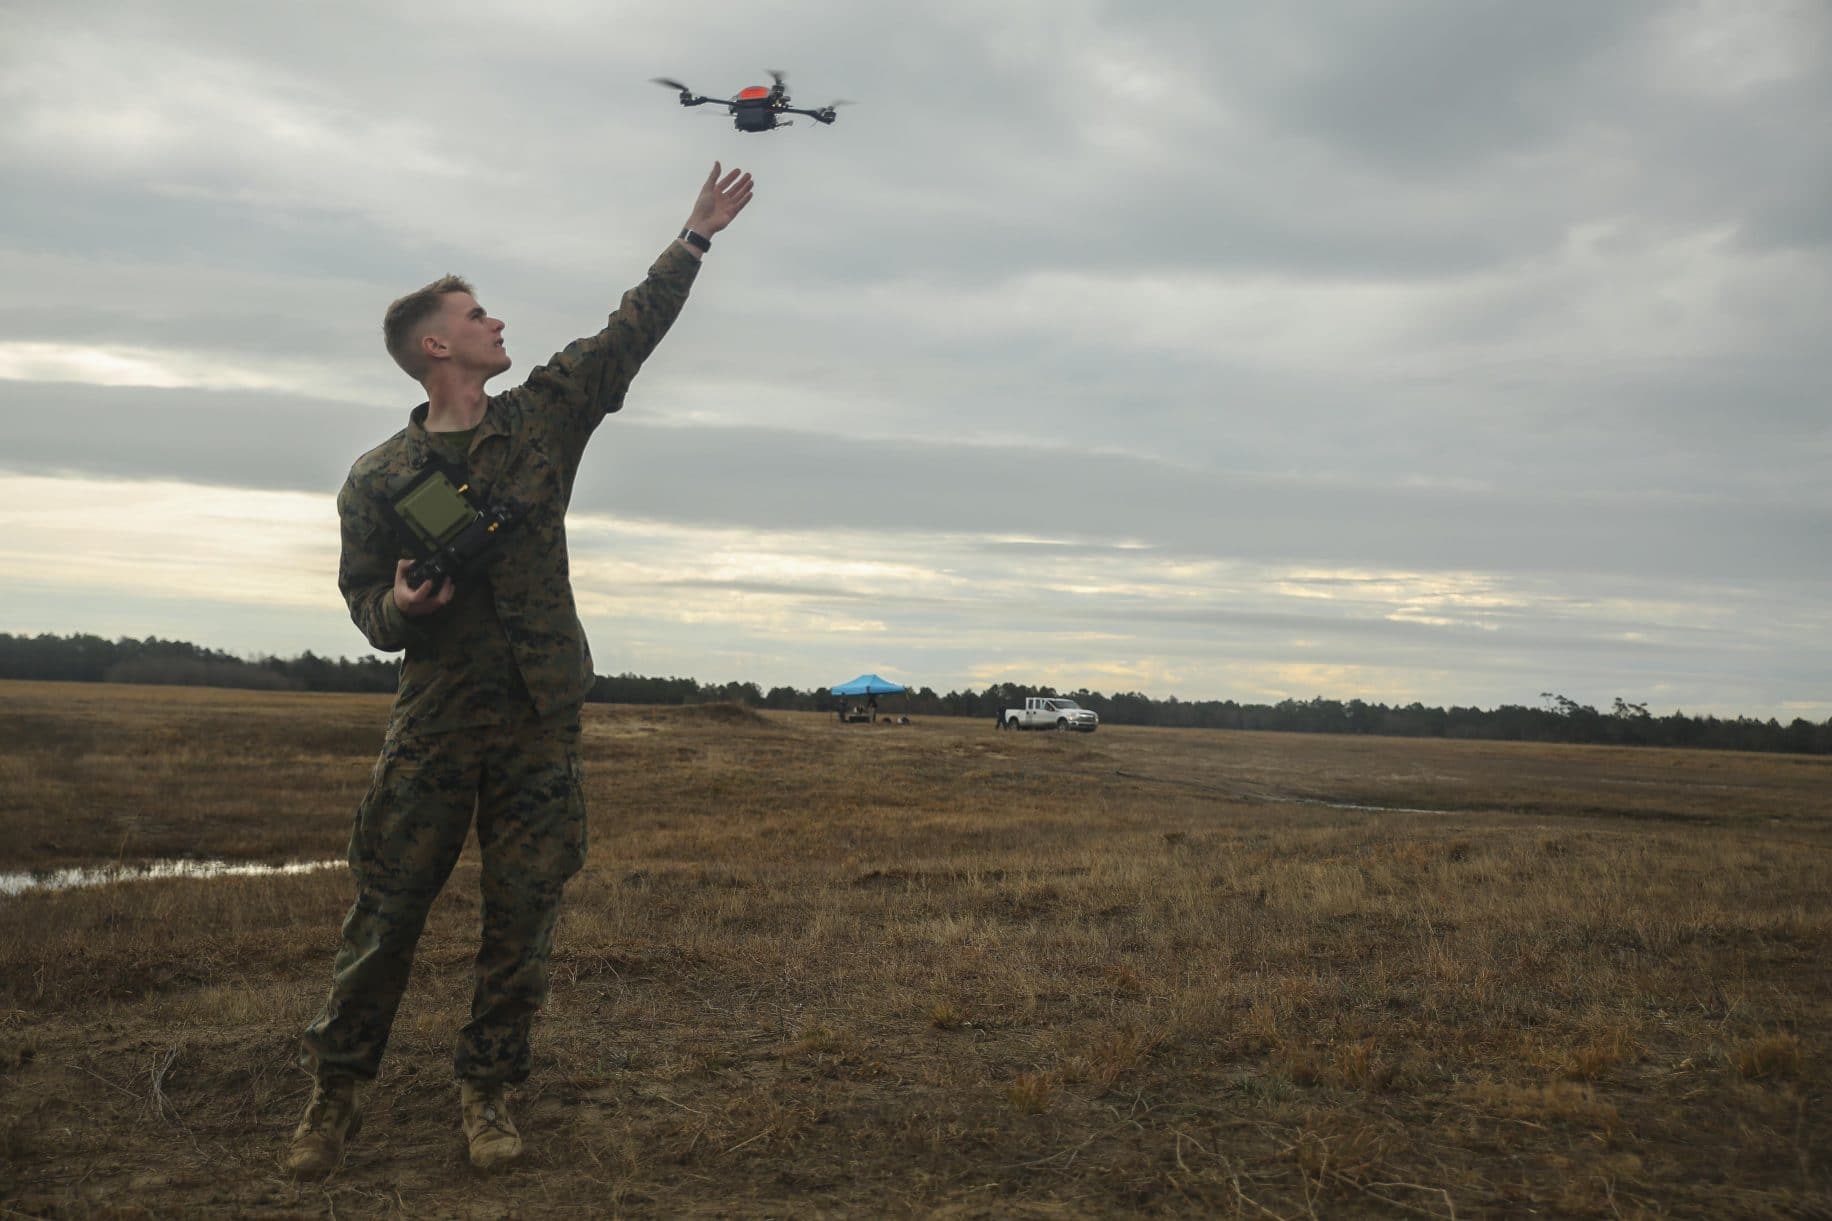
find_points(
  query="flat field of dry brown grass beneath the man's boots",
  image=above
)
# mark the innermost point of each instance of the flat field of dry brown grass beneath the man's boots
(939, 971)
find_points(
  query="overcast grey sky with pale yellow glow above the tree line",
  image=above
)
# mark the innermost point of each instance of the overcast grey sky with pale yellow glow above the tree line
(1450, 351)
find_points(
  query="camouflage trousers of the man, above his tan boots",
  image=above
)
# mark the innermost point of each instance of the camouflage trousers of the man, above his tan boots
(523, 784)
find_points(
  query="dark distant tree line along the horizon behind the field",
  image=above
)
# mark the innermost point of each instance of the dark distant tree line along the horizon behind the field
(1554, 720)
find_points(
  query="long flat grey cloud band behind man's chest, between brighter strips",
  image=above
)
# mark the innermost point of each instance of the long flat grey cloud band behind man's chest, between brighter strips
(763, 479)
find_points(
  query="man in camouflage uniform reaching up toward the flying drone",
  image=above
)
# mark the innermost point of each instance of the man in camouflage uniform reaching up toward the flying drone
(497, 668)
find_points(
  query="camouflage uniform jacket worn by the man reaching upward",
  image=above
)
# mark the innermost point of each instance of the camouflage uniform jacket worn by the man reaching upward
(510, 639)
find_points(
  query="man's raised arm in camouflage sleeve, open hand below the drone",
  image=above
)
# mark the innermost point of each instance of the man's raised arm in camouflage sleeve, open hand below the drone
(591, 377)
